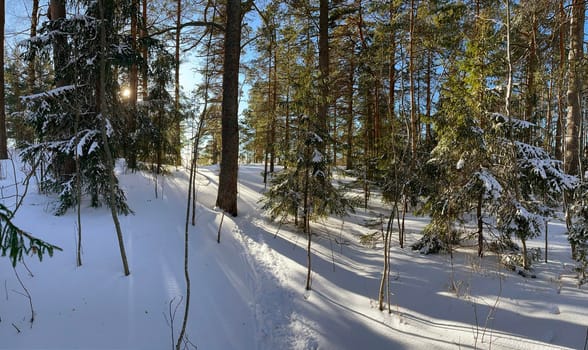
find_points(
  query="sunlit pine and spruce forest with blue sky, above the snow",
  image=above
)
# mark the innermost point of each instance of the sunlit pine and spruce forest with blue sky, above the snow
(453, 109)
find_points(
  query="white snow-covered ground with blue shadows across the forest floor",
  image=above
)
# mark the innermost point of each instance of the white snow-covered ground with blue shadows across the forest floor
(248, 291)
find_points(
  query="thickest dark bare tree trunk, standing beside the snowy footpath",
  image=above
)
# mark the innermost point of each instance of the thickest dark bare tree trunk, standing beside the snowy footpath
(227, 188)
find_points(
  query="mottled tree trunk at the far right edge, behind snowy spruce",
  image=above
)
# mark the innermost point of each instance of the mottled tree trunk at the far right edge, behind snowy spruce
(575, 56)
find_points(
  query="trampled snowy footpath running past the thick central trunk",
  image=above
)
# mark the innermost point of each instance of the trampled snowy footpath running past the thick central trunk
(278, 325)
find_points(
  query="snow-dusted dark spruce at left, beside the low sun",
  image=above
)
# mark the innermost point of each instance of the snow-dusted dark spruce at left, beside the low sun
(67, 118)
